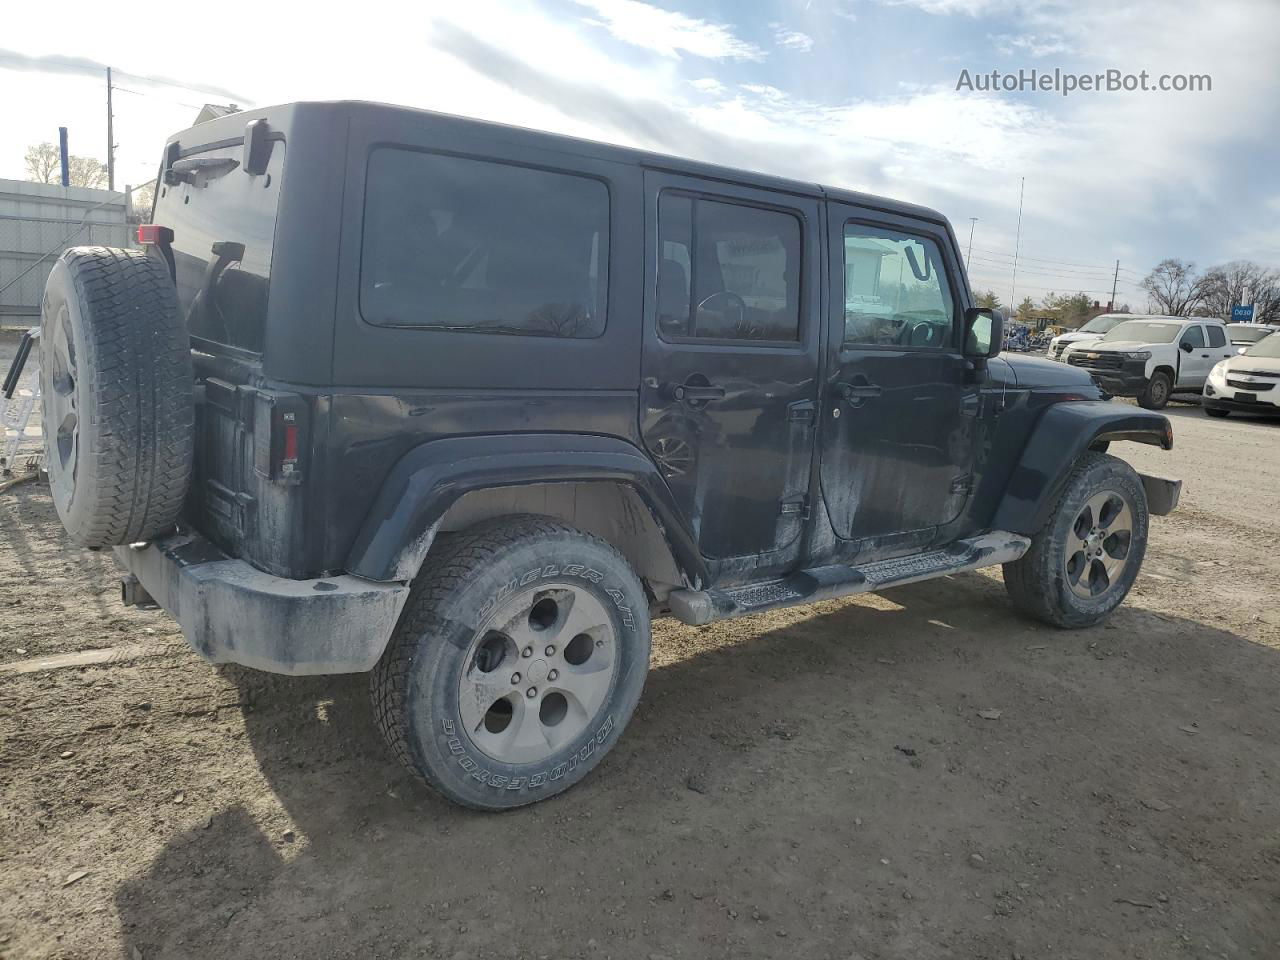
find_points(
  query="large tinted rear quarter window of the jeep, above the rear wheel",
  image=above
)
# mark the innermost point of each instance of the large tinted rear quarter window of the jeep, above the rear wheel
(470, 245)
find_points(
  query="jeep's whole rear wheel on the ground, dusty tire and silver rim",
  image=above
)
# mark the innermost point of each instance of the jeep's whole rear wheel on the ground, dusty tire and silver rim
(518, 662)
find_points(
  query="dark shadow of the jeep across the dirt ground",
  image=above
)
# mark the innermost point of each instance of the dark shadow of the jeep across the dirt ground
(922, 774)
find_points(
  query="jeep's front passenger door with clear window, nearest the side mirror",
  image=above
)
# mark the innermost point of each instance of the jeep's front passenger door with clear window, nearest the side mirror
(900, 412)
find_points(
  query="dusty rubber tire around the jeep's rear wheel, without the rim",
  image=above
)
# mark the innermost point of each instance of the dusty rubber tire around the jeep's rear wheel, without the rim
(465, 578)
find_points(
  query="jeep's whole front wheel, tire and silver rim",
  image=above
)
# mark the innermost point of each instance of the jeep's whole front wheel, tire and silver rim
(1084, 563)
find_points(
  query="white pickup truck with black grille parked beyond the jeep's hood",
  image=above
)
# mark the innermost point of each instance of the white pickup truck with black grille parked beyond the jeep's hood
(1154, 358)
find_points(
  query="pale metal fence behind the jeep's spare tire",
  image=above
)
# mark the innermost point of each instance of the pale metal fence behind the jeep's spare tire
(38, 223)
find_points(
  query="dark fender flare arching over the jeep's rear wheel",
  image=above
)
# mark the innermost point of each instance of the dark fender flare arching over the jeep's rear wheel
(429, 479)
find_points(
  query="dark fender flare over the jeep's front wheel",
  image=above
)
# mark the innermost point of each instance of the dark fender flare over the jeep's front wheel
(1060, 437)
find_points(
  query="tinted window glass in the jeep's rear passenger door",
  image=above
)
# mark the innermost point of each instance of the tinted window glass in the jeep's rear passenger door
(728, 272)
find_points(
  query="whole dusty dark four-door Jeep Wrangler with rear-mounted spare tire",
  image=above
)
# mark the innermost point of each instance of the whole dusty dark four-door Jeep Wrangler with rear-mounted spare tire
(468, 406)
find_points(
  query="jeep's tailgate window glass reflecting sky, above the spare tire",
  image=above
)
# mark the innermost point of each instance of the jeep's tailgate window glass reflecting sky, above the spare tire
(223, 226)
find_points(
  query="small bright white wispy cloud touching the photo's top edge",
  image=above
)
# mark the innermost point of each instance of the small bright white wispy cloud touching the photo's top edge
(668, 33)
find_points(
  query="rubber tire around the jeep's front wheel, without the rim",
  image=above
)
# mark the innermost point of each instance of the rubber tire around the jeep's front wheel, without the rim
(1037, 582)
